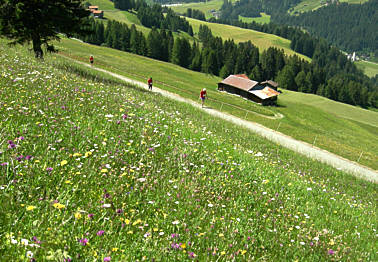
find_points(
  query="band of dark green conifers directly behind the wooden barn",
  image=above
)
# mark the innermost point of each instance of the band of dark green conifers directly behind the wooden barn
(330, 73)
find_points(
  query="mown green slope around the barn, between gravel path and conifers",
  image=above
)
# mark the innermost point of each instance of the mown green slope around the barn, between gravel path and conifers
(339, 128)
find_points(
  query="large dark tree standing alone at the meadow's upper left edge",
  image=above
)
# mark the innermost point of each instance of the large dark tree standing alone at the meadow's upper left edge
(40, 22)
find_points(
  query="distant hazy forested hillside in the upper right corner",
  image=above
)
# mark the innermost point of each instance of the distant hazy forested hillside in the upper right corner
(351, 27)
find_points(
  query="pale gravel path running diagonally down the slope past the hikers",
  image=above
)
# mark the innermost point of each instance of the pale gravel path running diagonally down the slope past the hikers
(301, 147)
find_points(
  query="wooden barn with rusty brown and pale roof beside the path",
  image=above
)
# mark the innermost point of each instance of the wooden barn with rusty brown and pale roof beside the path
(264, 93)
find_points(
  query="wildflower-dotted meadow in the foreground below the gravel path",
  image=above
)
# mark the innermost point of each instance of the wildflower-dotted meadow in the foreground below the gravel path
(96, 170)
